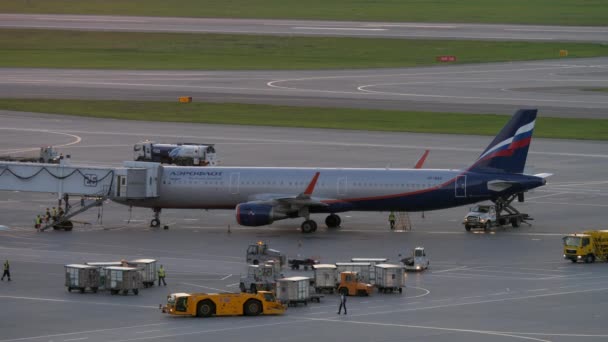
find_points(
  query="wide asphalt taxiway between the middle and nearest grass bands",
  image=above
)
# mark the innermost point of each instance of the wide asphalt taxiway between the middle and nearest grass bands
(566, 88)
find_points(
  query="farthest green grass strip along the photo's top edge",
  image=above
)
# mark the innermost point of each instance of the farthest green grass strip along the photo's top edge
(537, 12)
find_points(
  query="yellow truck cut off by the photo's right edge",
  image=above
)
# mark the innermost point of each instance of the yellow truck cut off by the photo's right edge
(588, 246)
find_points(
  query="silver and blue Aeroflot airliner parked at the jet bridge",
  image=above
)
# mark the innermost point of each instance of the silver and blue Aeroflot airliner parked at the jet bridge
(262, 195)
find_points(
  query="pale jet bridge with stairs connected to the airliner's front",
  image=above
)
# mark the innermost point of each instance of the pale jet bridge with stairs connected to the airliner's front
(135, 180)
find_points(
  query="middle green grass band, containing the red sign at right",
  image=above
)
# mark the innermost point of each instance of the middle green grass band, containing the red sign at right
(113, 50)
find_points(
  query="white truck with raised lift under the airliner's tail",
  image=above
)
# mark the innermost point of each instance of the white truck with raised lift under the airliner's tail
(500, 214)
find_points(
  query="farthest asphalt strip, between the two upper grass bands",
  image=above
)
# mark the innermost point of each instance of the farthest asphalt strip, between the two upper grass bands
(308, 28)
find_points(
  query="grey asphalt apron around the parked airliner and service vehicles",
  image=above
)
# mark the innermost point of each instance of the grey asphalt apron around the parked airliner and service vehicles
(509, 284)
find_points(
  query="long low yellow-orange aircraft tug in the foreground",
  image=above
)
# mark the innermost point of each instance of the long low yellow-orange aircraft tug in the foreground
(223, 304)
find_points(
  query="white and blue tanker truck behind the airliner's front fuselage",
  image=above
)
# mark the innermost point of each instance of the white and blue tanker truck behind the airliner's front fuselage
(187, 154)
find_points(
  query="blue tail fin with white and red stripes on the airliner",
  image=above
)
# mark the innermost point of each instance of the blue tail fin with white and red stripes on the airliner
(509, 150)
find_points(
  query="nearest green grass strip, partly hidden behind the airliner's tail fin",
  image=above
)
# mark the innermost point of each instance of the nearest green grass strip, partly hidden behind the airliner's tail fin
(282, 116)
